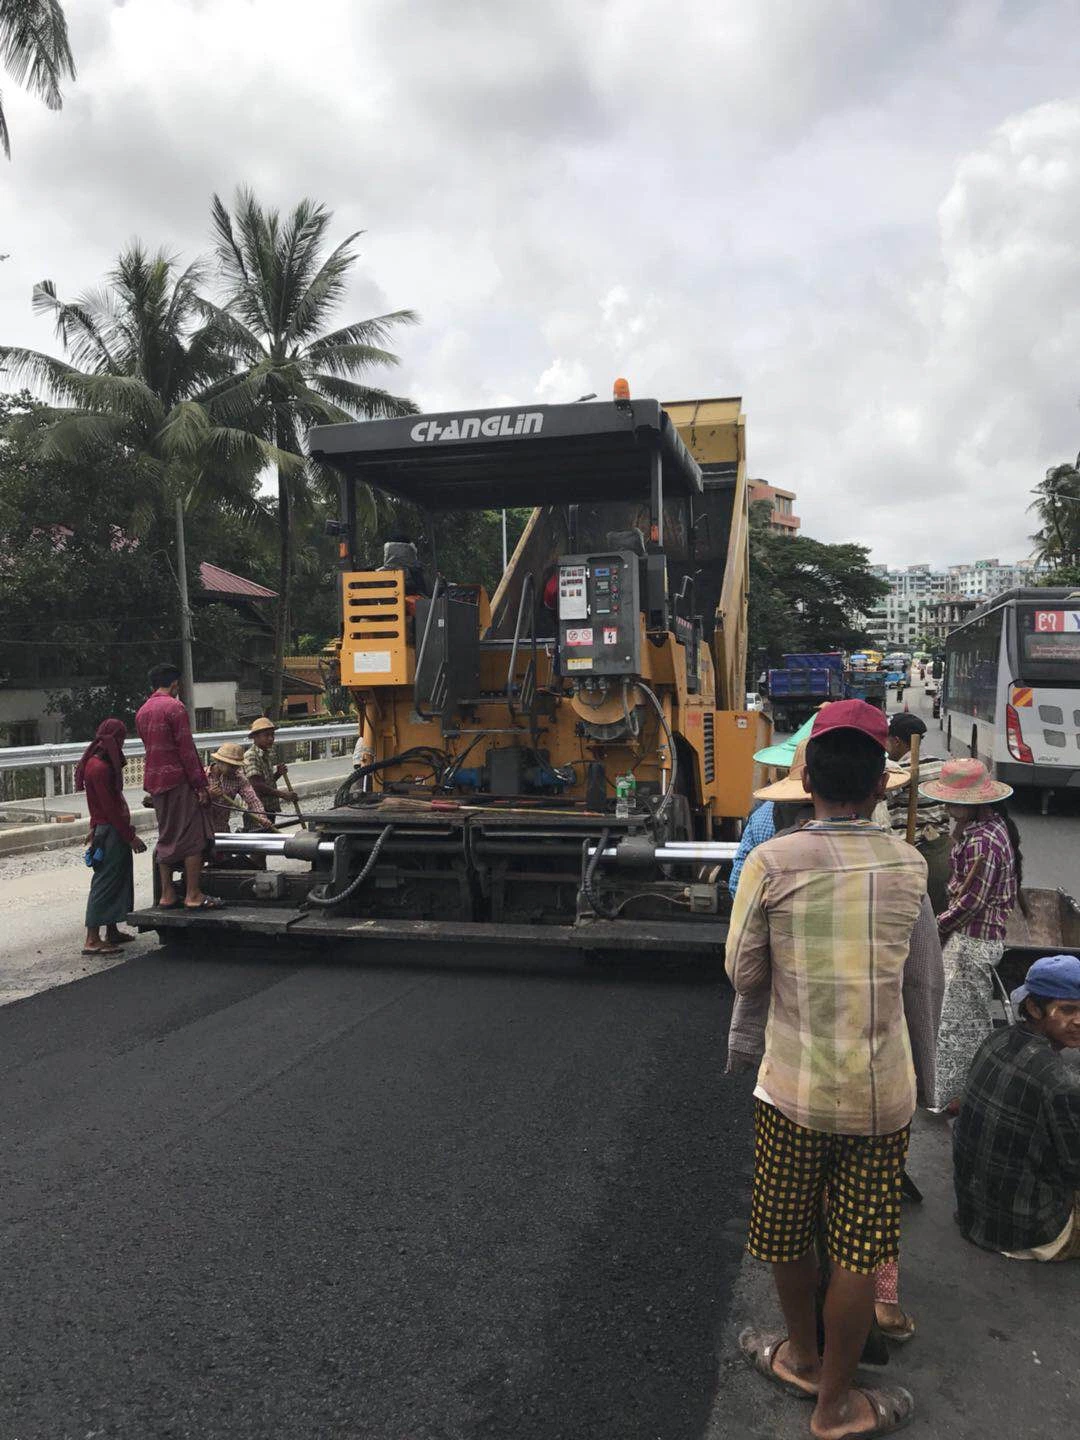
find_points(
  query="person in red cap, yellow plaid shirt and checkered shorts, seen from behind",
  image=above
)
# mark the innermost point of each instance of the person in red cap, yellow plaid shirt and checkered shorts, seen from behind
(834, 922)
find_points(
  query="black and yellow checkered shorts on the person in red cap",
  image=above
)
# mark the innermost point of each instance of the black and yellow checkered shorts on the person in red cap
(798, 1170)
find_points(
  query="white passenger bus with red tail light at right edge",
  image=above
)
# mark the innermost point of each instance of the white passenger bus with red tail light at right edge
(1013, 689)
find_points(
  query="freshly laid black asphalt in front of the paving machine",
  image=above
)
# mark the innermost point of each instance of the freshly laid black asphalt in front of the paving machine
(258, 1199)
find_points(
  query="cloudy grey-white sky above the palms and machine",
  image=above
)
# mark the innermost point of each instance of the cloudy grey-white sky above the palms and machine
(860, 215)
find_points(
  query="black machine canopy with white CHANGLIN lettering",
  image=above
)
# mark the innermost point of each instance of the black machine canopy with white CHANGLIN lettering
(529, 456)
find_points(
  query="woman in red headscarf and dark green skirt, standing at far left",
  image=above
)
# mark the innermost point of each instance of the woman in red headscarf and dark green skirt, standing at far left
(112, 842)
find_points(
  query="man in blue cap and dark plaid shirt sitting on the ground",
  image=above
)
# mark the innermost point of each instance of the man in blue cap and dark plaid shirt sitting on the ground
(1017, 1140)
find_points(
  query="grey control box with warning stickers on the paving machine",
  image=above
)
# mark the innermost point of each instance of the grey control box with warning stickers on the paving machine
(600, 606)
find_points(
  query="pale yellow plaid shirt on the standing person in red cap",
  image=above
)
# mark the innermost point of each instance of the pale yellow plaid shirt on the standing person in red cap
(827, 918)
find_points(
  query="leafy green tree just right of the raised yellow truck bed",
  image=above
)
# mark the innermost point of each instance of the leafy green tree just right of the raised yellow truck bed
(806, 594)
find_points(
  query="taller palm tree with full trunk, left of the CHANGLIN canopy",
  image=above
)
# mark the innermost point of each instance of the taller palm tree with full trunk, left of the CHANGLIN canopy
(279, 292)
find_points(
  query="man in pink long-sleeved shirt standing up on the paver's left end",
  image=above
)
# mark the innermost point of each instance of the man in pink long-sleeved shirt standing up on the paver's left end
(176, 783)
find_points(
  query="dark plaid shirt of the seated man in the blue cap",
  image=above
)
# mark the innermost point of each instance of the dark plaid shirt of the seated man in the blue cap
(1017, 1143)
